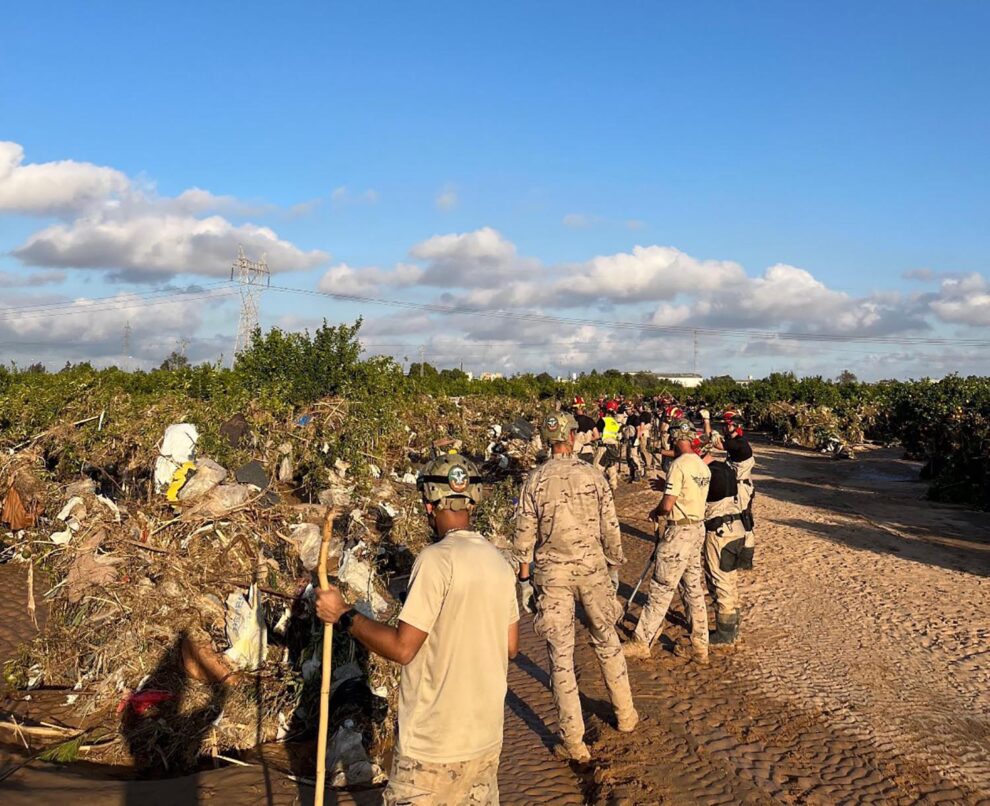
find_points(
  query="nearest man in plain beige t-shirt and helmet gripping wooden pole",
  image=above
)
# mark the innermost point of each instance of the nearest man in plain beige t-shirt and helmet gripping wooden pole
(457, 630)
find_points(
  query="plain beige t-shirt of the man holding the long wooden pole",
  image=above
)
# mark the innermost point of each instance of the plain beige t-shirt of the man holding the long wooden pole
(452, 694)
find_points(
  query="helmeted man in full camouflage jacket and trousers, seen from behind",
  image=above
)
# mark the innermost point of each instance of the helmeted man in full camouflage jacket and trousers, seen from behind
(566, 521)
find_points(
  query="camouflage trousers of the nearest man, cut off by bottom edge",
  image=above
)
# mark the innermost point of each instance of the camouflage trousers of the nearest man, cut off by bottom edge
(459, 783)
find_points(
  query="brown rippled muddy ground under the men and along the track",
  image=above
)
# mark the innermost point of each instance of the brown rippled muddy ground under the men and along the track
(862, 677)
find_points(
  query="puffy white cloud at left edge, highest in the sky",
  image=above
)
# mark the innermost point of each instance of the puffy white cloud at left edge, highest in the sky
(54, 188)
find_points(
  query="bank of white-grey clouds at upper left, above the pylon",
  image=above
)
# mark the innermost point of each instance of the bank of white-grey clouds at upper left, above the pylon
(126, 229)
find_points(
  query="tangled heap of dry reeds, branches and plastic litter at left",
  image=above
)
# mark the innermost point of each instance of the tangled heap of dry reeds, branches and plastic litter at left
(180, 607)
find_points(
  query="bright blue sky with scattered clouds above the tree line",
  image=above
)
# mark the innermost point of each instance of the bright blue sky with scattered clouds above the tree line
(846, 141)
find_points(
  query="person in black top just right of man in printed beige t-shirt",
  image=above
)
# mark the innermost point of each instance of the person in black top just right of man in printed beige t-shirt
(725, 541)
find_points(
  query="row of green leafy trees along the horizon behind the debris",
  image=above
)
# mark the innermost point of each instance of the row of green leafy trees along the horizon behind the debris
(946, 423)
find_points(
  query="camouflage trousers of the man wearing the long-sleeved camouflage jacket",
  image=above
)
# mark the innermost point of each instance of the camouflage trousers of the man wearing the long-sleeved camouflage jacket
(554, 622)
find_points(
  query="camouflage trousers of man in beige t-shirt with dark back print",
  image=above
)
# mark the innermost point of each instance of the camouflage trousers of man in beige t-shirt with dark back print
(678, 567)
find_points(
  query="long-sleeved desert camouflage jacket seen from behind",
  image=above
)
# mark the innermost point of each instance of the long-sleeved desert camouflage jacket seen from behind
(566, 523)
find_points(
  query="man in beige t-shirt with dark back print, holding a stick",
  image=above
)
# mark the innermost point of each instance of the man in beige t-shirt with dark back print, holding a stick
(678, 563)
